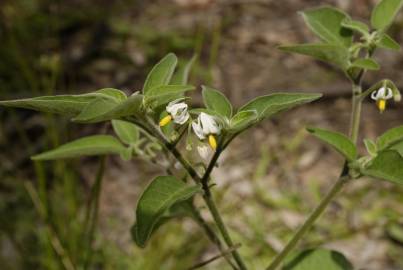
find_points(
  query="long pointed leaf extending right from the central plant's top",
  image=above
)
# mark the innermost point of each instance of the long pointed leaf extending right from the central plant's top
(268, 105)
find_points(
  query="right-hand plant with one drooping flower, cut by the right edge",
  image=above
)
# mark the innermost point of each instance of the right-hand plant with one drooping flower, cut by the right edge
(350, 45)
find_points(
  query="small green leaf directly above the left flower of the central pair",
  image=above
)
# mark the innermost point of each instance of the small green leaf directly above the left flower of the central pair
(163, 94)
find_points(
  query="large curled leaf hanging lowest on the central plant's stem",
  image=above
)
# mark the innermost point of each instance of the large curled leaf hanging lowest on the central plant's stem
(157, 198)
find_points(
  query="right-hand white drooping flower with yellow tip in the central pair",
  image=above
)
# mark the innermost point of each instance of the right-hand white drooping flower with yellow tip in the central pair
(206, 126)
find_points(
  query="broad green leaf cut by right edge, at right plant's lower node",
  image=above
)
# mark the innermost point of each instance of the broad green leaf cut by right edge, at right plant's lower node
(387, 165)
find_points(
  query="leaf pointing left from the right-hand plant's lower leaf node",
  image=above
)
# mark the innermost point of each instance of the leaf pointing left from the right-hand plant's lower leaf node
(338, 141)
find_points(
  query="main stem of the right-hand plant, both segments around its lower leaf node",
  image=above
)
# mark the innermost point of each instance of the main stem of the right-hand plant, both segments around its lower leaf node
(354, 130)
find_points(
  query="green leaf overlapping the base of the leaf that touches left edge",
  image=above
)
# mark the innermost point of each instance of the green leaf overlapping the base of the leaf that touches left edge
(108, 110)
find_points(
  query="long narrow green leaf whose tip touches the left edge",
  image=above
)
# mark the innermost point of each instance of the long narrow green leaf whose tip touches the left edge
(64, 104)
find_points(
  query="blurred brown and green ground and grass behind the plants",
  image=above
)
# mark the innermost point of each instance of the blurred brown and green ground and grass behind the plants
(267, 182)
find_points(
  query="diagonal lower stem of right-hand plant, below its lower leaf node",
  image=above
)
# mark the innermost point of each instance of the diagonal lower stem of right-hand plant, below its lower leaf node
(309, 222)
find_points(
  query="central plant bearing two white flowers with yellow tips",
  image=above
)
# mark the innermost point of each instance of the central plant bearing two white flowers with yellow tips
(158, 125)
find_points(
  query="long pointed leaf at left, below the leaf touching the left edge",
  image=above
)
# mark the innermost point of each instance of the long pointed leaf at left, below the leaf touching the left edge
(87, 146)
